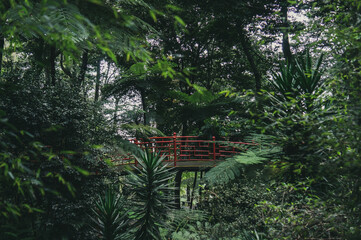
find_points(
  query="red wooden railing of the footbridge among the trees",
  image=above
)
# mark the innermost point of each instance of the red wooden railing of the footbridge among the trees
(185, 149)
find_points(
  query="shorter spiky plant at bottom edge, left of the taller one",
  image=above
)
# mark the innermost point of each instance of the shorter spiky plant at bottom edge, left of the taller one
(108, 218)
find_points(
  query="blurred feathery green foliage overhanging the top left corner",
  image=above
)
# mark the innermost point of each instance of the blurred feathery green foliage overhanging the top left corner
(64, 23)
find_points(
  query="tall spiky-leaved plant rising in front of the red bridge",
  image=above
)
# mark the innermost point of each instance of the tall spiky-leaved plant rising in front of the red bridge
(152, 199)
